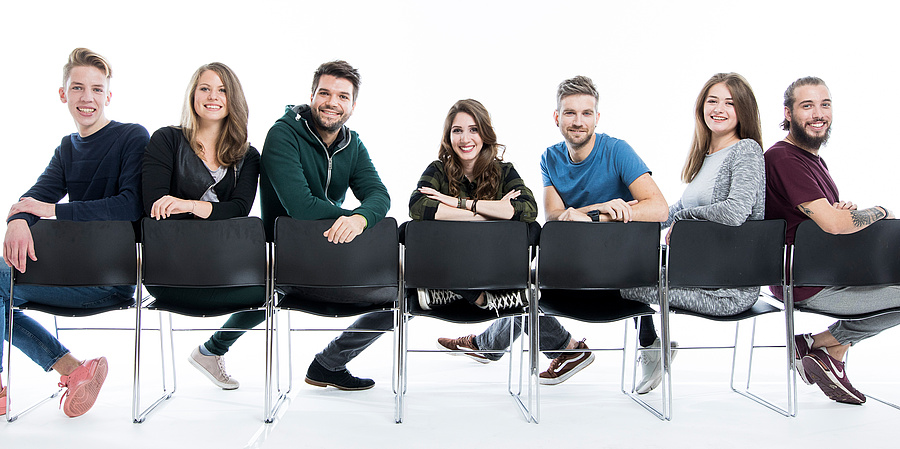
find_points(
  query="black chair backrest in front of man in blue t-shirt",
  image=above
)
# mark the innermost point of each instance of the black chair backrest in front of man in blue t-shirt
(592, 256)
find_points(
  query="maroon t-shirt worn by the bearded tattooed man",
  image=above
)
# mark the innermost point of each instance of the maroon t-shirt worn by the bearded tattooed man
(793, 177)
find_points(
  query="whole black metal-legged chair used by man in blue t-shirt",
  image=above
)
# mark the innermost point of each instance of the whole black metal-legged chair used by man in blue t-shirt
(581, 267)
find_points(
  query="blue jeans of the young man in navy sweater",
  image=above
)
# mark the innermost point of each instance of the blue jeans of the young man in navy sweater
(28, 335)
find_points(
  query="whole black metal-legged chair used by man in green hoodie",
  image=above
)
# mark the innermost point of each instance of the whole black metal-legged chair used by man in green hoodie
(335, 280)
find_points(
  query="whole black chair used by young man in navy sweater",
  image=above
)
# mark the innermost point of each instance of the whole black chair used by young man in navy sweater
(74, 254)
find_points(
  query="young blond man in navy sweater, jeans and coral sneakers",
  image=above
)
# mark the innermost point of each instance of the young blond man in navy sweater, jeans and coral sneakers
(99, 168)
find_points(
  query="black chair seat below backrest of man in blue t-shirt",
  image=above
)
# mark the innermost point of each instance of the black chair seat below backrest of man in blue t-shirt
(591, 306)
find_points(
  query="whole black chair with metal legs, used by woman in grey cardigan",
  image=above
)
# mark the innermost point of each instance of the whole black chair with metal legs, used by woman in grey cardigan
(703, 254)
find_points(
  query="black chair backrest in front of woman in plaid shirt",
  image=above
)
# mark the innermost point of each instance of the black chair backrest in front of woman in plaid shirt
(466, 255)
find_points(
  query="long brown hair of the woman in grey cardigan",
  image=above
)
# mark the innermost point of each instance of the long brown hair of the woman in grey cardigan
(745, 107)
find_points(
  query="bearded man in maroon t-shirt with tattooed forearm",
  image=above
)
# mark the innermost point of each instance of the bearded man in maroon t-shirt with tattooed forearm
(798, 188)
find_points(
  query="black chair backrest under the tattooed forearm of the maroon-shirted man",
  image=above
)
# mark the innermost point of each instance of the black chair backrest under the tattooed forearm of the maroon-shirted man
(868, 257)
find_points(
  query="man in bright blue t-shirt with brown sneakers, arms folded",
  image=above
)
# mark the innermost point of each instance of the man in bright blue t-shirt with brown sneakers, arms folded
(588, 176)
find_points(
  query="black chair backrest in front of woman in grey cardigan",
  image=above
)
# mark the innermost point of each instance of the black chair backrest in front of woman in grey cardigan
(713, 255)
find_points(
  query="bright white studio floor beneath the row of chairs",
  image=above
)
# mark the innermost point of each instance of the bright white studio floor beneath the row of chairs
(452, 401)
